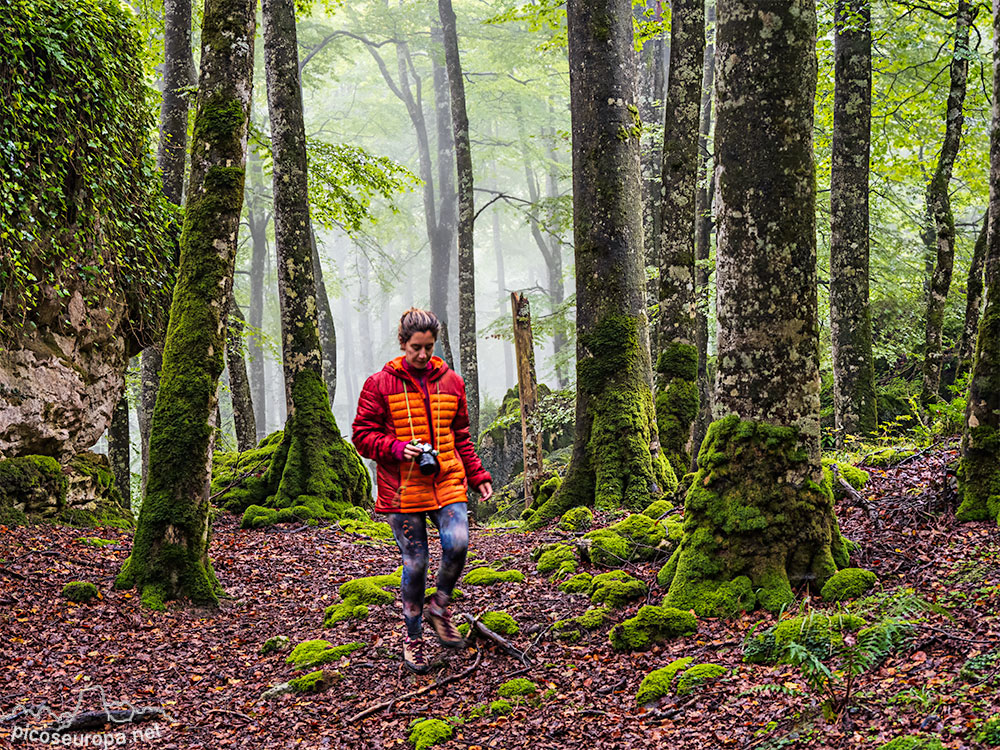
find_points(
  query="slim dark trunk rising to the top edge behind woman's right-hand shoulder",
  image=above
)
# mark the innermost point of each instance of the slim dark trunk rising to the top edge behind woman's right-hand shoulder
(466, 216)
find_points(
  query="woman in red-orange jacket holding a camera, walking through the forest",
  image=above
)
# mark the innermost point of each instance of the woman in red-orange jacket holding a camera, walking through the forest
(413, 420)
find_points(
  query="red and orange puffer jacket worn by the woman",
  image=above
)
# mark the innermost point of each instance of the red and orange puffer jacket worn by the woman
(394, 407)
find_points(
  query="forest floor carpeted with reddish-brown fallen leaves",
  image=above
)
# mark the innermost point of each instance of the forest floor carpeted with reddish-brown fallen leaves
(205, 668)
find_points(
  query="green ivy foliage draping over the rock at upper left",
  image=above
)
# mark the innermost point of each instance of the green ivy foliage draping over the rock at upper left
(79, 198)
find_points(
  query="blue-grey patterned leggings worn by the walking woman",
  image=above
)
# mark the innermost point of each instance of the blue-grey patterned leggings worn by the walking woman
(410, 531)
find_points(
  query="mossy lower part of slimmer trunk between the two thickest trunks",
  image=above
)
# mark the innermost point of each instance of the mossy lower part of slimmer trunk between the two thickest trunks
(677, 402)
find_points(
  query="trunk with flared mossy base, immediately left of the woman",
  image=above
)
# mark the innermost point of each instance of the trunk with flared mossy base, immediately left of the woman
(315, 467)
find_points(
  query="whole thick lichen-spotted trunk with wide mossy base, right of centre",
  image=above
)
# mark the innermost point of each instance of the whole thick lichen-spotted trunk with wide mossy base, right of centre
(758, 519)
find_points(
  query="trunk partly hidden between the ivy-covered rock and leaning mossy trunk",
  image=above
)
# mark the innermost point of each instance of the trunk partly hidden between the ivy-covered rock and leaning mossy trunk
(178, 72)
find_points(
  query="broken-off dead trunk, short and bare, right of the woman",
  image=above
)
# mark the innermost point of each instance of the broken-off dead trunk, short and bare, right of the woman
(527, 390)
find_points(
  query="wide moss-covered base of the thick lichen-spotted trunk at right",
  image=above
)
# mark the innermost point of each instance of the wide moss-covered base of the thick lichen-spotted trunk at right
(758, 520)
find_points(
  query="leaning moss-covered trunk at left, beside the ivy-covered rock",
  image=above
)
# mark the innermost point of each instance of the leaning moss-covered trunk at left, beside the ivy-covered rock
(169, 557)
